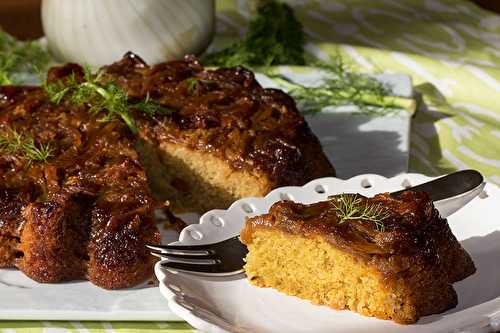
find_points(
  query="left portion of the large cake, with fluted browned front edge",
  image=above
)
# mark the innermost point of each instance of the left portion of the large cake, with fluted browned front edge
(86, 212)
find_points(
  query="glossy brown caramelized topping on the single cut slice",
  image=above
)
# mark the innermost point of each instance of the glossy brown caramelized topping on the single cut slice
(381, 226)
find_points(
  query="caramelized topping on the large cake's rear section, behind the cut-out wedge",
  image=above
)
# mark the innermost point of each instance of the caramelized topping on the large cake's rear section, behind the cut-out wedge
(224, 111)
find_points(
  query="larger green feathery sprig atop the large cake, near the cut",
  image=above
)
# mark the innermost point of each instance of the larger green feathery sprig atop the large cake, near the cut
(101, 97)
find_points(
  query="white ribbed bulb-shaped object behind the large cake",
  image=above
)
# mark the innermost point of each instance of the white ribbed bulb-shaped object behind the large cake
(99, 32)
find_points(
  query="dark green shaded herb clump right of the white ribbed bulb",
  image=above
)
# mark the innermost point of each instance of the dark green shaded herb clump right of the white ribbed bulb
(274, 37)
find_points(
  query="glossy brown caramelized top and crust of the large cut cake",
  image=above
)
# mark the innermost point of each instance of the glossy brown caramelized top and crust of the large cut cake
(87, 211)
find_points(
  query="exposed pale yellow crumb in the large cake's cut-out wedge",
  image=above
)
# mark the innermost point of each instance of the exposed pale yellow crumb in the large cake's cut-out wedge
(195, 181)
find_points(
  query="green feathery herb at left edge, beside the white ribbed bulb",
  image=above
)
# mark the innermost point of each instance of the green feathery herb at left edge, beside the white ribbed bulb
(19, 57)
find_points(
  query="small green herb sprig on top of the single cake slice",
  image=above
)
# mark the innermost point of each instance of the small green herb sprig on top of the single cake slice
(352, 207)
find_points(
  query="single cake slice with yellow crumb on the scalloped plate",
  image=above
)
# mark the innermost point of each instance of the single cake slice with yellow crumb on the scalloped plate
(388, 257)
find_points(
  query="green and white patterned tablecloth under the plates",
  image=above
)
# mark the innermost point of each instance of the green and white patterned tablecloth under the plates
(451, 48)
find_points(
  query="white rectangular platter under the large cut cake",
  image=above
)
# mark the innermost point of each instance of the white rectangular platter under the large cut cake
(381, 141)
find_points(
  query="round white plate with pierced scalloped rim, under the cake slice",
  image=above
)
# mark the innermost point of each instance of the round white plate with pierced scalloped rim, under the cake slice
(233, 305)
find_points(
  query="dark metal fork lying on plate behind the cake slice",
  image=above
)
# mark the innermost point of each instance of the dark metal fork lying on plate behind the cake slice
(449, 193)
